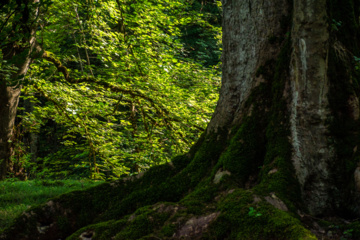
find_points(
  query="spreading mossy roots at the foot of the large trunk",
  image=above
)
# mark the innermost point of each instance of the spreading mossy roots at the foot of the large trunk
(176, 202)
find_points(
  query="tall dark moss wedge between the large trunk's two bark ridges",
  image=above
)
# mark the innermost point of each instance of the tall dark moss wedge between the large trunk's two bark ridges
(261, 143)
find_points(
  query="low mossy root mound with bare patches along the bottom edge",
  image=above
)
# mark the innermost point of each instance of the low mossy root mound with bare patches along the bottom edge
(234, 221)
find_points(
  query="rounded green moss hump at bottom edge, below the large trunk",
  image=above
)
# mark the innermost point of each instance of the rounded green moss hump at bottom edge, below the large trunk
(235, 222)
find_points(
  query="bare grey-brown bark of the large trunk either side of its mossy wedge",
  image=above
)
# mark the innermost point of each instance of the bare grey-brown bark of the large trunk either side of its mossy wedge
(250, 29)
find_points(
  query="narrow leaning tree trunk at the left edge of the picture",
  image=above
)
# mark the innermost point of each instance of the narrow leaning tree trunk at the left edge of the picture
(17, 53)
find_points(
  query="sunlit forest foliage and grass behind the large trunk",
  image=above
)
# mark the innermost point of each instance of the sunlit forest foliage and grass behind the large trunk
(153, 73)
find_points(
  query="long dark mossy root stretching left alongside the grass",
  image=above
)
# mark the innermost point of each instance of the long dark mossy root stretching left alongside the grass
(106, 202)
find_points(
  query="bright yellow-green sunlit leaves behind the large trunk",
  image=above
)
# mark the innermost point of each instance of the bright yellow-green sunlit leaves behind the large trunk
(167, 98)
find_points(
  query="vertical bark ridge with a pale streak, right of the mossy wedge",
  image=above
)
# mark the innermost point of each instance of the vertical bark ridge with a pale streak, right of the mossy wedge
(310, 106)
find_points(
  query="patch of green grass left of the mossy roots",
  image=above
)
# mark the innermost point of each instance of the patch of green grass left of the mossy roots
(17, 196)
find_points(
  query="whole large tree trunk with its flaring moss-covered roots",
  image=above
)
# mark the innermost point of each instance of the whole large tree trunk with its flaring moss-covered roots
(279, 154)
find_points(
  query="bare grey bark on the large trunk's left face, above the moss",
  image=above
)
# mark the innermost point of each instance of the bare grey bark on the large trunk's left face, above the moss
(247, 28)
